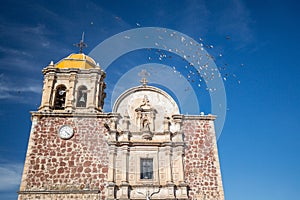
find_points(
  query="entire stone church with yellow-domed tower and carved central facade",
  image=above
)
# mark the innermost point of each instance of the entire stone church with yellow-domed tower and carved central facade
(144, 149)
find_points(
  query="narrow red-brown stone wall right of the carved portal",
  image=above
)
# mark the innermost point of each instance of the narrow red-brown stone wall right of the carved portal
(202, 169)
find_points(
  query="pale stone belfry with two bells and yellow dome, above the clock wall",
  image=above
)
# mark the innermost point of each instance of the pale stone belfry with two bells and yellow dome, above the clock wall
(74, 84)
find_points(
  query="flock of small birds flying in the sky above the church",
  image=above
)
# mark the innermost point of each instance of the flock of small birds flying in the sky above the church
(196, 70)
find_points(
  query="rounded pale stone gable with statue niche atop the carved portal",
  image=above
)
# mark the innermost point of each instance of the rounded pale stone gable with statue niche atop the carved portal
(146, 107)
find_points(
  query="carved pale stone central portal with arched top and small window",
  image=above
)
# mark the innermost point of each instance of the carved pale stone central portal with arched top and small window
(151, 150)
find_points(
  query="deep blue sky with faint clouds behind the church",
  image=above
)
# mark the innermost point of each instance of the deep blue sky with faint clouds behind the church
(259, 46)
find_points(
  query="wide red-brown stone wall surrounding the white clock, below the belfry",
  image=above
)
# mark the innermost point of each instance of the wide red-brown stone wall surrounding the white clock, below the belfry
(71, 167)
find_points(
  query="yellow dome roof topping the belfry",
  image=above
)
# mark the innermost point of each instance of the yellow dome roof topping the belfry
(79, 61)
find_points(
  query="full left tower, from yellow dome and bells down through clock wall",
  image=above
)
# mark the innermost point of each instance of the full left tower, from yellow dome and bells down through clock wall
(67, 151)
